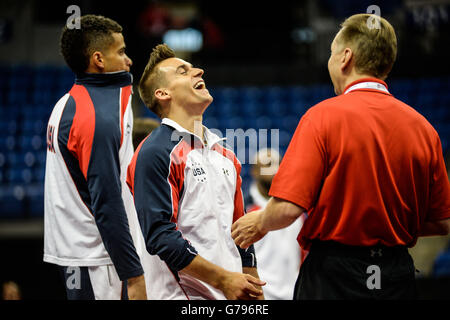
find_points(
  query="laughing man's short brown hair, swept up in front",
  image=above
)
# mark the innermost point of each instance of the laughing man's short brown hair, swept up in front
(151, 77)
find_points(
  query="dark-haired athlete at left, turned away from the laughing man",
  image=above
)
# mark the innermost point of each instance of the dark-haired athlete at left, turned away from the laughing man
(91, 228)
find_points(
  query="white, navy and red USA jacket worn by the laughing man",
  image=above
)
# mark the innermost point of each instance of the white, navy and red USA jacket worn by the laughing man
(187, 196)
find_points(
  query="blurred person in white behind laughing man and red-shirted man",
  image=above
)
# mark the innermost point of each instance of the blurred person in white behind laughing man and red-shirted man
(278, 254)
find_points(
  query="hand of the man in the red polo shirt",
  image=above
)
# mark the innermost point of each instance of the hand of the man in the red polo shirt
(248, 229)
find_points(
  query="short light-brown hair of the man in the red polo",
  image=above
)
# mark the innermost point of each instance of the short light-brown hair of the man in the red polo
(375, 48)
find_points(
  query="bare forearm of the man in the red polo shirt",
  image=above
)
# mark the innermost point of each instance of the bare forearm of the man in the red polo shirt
(279, 214)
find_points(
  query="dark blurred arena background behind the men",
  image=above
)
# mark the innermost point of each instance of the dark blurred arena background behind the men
(265, 64)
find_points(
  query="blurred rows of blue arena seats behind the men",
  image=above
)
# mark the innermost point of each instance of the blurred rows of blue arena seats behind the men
(28, 94)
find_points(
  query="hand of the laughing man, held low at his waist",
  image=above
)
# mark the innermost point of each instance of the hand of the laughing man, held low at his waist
(236, 285)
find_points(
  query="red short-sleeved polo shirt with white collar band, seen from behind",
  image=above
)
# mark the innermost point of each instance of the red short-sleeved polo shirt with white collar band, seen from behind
(367, 167)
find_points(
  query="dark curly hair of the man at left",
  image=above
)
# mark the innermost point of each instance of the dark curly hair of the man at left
(95, 34)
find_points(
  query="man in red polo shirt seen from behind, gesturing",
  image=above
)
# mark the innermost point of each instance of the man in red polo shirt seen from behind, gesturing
(368, 170)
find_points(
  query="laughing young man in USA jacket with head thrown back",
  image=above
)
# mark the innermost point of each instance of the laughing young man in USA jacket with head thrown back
(187, 191)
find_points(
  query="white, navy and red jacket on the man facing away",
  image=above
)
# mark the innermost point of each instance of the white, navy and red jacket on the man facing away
(89, 210)
